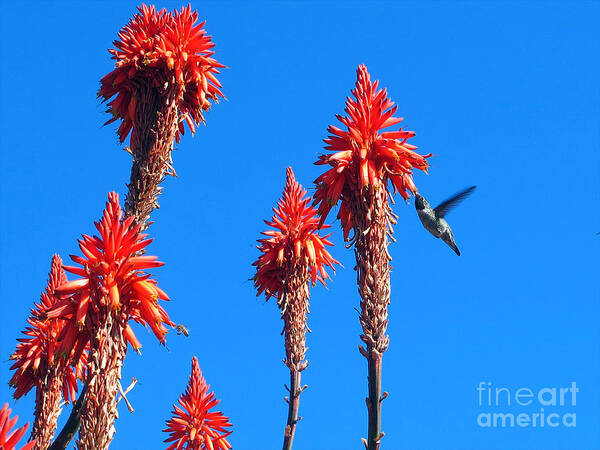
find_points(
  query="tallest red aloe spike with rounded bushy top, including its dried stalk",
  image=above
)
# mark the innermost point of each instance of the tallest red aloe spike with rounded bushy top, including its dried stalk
(164, 75)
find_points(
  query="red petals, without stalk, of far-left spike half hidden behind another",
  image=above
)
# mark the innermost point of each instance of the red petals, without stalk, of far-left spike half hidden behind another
(36, 352)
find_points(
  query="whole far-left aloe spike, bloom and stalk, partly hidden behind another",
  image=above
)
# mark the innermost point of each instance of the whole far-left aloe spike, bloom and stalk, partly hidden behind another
(38, 364)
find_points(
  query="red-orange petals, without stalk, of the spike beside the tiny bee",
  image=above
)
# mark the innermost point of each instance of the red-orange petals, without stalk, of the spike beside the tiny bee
(113, 278)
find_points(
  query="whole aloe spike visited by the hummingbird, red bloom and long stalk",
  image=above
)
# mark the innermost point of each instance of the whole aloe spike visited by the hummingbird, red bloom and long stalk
(365, 161)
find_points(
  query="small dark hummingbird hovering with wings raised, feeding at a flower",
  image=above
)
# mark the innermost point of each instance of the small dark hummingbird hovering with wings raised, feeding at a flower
(433, 219)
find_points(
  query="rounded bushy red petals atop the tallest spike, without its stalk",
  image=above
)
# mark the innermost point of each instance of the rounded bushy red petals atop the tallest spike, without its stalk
(162, 48)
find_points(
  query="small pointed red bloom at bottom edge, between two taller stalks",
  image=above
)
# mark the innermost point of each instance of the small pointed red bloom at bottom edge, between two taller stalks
(193, 427)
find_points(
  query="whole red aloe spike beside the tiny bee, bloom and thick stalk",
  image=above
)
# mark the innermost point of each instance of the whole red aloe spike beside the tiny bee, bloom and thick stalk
(97, 308)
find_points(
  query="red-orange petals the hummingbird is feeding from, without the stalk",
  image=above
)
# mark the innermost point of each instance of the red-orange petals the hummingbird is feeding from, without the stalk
(364, 156)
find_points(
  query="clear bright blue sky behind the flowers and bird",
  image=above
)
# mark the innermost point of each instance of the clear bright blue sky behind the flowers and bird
(505, 94)
